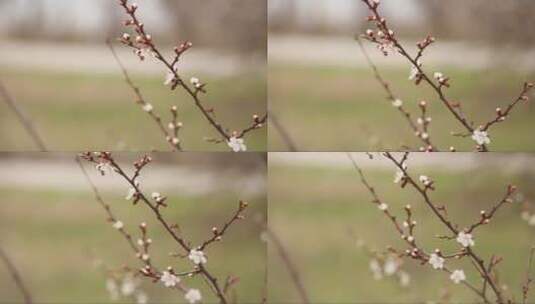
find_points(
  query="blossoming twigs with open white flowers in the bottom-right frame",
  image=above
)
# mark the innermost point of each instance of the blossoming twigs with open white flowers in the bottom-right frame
(464, 237)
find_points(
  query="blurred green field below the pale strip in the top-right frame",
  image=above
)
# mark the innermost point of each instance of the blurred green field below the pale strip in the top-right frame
(344, 109)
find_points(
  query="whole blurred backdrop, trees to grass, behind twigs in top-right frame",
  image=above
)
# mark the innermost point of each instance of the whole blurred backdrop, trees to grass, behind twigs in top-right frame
(321, 86)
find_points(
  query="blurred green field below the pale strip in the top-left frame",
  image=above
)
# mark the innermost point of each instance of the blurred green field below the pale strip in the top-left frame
(75, 111)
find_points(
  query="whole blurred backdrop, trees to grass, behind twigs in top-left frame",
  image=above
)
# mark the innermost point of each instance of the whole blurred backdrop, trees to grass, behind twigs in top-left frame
(55, 63)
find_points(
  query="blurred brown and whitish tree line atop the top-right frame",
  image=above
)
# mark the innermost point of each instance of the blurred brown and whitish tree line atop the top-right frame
(490, 21)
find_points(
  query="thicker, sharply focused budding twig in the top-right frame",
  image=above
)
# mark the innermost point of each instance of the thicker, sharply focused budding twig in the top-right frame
(386, 40)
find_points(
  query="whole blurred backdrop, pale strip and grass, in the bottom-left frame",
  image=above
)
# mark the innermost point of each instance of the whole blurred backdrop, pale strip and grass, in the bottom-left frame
(54, 230)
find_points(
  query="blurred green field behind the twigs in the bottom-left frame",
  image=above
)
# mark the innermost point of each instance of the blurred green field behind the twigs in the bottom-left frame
(53, 237)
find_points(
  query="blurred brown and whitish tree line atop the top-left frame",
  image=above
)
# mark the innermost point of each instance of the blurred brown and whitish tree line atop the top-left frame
(226, 24)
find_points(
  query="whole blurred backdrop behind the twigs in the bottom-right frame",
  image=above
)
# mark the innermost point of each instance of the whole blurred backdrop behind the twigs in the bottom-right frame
(320, 211)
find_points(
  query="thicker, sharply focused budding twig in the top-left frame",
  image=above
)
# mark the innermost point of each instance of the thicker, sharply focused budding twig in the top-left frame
(143, 43)
